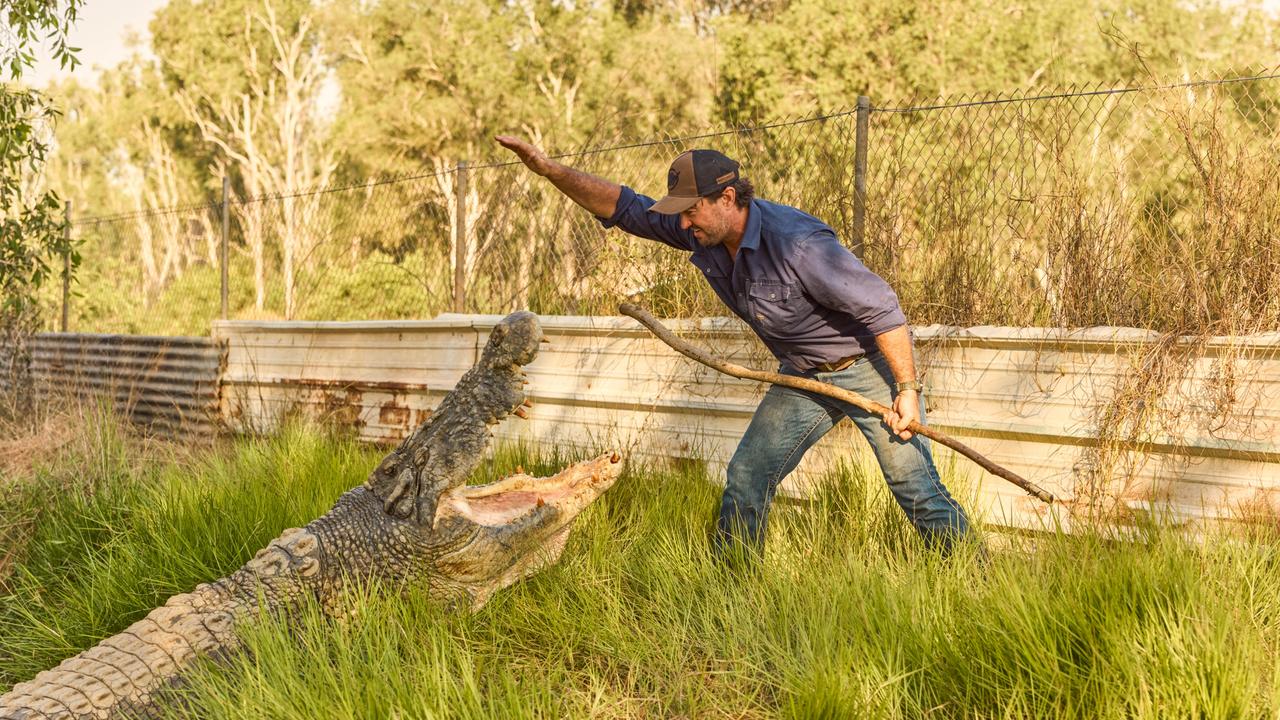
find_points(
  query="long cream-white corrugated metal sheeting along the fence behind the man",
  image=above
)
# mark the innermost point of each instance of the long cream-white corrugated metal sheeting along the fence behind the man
(1032, 400)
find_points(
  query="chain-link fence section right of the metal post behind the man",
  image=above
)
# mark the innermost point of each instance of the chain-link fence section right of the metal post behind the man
(1094, 207)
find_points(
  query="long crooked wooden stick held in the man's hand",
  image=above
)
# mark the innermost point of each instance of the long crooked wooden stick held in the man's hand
(701, 356)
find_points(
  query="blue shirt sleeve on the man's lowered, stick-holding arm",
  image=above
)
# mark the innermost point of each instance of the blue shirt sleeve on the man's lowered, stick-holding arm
(836, 279)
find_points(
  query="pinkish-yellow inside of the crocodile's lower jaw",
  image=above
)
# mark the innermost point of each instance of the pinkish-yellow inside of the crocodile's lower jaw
(569, 491)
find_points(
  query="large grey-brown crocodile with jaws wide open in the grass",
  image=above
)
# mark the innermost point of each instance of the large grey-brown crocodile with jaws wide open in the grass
(413, 523)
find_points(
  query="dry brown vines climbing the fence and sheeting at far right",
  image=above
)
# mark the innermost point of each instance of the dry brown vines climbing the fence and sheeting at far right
(1205, 274)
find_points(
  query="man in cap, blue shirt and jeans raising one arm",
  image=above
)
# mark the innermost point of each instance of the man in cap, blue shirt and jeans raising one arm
(816, 307)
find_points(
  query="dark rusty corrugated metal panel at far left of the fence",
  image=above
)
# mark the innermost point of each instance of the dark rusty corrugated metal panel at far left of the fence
(166, 385)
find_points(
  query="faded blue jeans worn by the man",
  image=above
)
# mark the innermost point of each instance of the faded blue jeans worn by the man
(789, 422)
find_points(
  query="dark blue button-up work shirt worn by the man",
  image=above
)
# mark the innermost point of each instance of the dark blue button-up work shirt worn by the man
(808, 298)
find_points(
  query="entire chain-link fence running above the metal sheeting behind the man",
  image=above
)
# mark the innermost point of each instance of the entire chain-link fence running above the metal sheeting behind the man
(1153, 207)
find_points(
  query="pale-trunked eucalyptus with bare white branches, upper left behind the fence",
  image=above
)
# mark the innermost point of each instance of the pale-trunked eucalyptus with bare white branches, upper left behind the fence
(250, 76)
